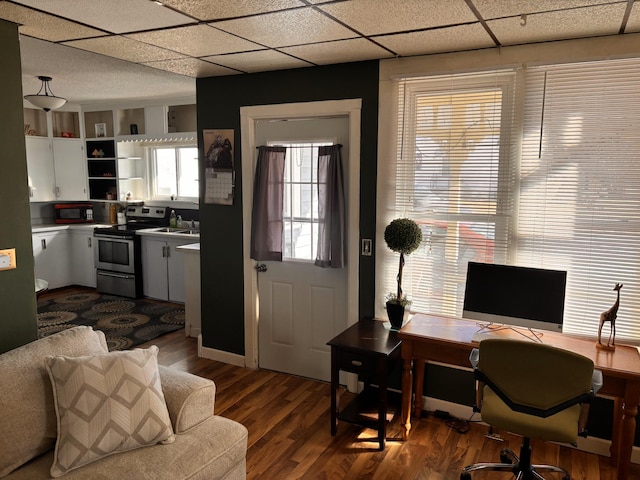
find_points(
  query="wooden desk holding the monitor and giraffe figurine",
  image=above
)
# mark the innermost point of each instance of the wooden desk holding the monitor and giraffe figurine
(449, 340)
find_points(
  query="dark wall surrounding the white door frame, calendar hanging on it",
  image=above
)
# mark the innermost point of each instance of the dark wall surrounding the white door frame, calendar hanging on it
(219, 100)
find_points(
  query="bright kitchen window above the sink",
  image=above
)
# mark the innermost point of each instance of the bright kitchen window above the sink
(174, 173)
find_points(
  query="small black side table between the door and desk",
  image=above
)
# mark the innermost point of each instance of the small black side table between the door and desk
(370, 349)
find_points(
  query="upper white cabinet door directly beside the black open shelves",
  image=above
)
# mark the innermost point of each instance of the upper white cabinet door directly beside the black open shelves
(70, 169)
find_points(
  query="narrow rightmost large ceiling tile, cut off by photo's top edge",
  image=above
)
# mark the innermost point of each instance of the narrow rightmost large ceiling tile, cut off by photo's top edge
(492, 9)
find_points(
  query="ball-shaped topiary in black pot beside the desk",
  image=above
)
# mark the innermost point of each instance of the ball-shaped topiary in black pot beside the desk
(402, 235)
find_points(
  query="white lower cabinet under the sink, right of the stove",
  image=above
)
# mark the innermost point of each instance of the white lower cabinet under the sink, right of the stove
(163, 268)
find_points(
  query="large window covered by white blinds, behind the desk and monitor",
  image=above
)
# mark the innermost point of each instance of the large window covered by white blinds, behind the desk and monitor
(536, 168)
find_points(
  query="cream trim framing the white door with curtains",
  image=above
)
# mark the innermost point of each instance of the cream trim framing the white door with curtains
(248, 117)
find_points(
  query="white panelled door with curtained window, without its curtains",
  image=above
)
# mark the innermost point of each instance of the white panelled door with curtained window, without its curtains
(301, 306)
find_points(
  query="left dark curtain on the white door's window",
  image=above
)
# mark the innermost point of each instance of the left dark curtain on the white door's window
(268, 198)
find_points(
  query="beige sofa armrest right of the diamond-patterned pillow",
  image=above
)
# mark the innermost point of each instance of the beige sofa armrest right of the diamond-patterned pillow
(190, 399)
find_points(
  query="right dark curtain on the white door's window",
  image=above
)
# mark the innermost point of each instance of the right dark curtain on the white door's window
(332, 241)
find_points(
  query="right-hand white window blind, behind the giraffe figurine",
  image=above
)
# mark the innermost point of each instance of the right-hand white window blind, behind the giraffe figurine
(580, 188)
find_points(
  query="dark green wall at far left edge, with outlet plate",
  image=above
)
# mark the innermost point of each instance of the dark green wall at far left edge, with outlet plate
(17, 293)
